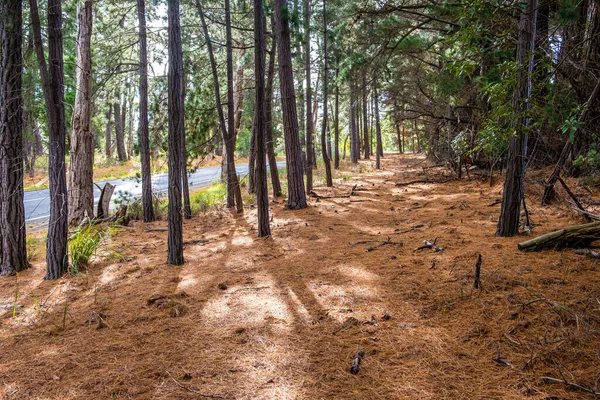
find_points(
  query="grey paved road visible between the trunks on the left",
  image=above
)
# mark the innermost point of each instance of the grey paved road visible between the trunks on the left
(37, 202)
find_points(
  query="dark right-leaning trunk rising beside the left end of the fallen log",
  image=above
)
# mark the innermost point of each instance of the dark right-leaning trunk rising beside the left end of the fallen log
(513, 195)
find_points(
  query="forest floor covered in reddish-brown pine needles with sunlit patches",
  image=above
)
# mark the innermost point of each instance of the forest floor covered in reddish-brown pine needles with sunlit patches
(283, 317)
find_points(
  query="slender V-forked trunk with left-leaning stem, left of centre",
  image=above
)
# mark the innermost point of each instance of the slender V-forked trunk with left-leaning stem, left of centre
(234, 194)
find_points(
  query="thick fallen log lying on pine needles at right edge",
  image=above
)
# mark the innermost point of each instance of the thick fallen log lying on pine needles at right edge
(571, 237)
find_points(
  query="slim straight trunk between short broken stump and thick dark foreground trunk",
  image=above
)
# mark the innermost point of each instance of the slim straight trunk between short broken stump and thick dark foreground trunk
(143, 123)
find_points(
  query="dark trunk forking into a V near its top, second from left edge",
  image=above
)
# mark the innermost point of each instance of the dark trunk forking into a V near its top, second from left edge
(53, 86)
